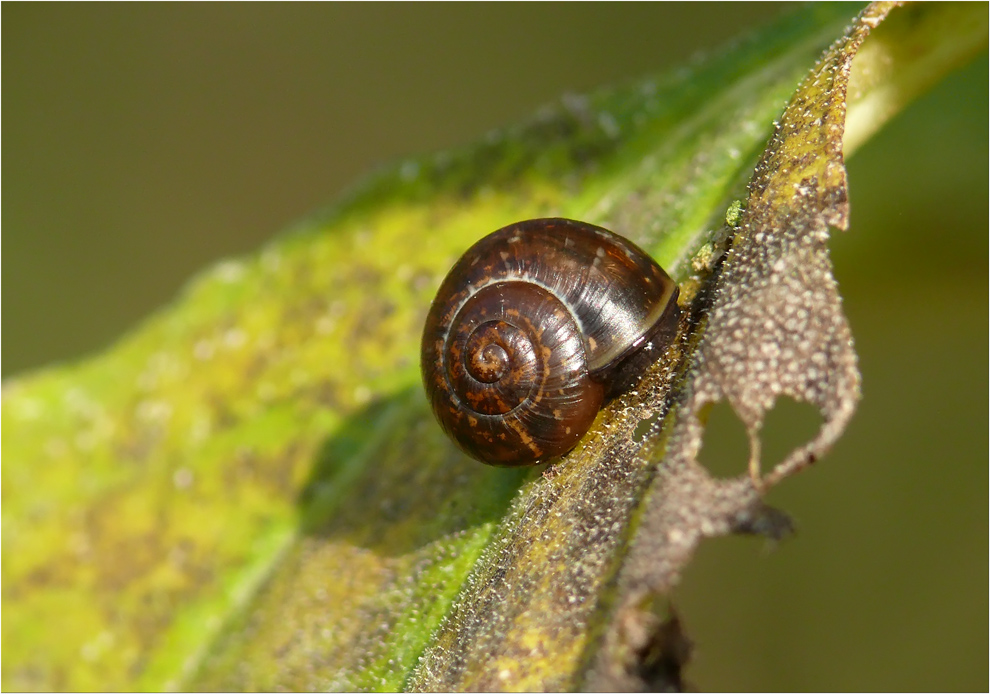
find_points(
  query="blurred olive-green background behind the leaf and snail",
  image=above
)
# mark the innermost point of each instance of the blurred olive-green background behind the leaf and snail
(143, 142)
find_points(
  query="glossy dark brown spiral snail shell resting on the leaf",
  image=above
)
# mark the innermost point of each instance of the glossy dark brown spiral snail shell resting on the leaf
(533, 329)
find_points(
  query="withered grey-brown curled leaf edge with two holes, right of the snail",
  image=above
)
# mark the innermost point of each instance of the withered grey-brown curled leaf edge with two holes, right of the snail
(775, 328)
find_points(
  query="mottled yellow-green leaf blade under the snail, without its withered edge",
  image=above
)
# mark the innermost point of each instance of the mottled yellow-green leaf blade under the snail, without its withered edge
(249, 491)
